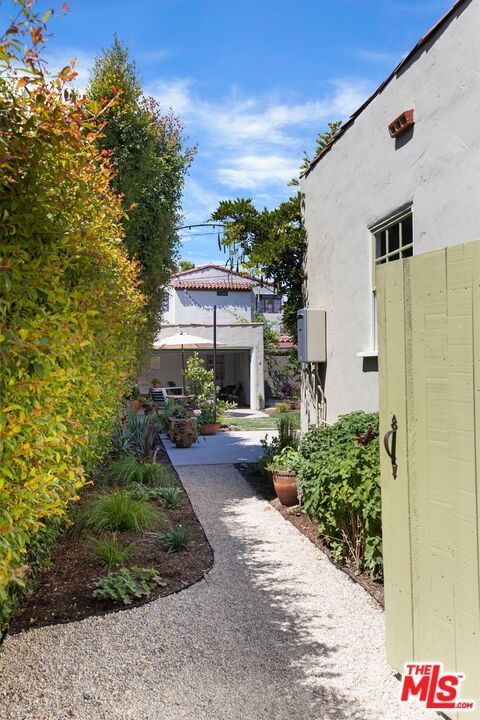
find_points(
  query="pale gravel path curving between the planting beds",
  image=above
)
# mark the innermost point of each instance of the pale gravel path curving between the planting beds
(275, 632)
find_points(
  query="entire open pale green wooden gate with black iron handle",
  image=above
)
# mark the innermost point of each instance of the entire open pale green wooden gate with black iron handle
(429, 363)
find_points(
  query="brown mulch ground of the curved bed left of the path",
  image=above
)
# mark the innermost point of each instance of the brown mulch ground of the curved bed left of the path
(64, 592)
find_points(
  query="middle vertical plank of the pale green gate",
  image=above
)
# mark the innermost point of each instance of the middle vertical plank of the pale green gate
(429, 452)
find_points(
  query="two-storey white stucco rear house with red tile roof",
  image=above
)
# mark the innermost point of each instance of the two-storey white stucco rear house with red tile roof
(188, 307)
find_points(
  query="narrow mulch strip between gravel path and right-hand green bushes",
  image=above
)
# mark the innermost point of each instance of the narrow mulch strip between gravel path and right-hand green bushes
(264, 489)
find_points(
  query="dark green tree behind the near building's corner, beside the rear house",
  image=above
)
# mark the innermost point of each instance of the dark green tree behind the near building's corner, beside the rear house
(272, 243)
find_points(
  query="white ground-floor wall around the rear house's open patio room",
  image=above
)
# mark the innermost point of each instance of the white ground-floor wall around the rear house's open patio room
(246, 367)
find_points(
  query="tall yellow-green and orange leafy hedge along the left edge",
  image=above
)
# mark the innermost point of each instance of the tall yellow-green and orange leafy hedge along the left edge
(72, 316)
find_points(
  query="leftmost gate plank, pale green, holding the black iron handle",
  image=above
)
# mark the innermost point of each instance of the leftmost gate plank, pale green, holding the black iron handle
(395, 498)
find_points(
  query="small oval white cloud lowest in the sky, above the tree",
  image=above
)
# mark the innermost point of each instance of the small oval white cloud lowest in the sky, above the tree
(253, 171)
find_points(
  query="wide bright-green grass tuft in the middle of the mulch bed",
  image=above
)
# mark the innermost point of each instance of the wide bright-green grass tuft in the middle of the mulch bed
(118, 511)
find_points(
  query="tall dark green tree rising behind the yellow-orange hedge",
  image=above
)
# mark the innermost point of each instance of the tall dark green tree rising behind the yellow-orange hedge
(148, 153)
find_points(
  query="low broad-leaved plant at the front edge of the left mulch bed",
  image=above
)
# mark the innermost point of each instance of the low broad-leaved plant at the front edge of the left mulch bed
(128, 584)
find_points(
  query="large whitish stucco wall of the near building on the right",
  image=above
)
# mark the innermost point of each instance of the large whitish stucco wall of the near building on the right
(367, 176)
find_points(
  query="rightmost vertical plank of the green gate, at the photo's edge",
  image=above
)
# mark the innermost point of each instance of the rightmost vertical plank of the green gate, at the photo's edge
(464, 461)
